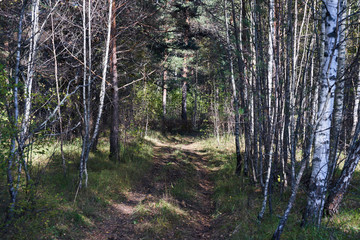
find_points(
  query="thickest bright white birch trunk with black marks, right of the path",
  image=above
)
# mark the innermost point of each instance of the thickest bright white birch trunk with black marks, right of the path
(320, 164)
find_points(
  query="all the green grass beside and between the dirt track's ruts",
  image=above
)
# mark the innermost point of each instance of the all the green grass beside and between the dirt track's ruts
(163, 213)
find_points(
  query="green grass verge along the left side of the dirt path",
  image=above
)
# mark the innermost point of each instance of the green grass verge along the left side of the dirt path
(55, 215)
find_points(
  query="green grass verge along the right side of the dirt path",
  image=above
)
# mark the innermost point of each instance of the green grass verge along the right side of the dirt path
(238, 202)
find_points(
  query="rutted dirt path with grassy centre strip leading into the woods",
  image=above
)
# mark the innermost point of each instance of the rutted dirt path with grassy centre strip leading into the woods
(173, 200)
